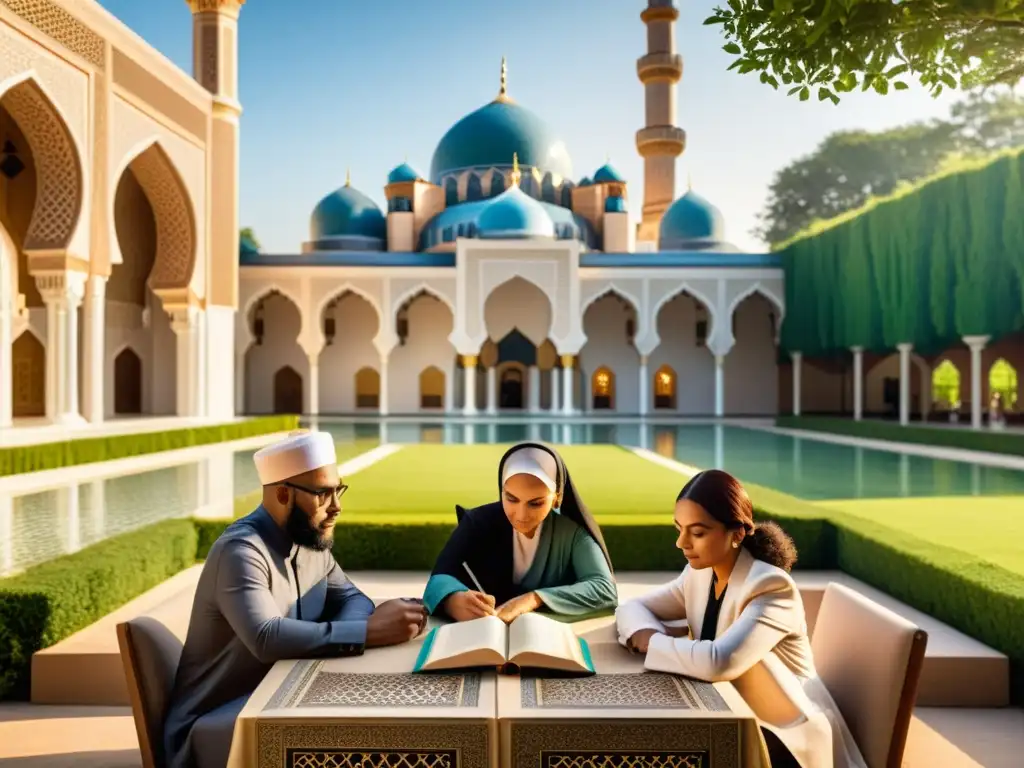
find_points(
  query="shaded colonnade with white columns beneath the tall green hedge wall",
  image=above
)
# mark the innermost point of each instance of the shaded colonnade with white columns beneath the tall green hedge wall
(958, 383)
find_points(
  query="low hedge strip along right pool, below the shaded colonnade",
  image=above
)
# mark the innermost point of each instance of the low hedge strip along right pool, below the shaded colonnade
(968, 440)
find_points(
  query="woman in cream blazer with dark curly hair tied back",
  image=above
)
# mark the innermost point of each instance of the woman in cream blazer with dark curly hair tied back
(746, 624)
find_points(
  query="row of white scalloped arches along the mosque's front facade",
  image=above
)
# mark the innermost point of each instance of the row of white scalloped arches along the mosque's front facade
(518, 369)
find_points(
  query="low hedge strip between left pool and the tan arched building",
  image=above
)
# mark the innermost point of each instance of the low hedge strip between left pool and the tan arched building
(18, 459)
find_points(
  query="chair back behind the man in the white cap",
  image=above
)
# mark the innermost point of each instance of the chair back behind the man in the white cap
(150, 654)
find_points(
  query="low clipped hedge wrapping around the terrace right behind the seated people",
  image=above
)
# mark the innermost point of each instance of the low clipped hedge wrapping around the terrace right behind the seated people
(52, 602)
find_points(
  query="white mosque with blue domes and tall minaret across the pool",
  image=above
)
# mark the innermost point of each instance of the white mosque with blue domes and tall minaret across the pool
(503, 283)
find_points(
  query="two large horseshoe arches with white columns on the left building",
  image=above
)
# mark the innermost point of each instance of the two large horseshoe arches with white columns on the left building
(77, 344)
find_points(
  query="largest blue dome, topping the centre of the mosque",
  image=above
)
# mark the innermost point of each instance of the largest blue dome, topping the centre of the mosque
(490, 137)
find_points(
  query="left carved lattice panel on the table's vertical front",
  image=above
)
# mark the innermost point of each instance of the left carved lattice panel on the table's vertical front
(354, 745)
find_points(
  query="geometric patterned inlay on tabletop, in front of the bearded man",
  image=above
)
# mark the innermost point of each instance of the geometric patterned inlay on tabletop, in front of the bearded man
(309, 686)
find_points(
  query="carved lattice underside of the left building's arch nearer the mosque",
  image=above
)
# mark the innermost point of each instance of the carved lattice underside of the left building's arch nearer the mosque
(176, 259)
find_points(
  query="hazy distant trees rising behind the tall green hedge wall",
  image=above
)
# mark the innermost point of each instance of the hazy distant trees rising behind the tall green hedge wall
(851, 167)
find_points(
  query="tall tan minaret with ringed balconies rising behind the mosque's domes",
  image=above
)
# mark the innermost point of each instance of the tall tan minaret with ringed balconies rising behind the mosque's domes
(660, 143)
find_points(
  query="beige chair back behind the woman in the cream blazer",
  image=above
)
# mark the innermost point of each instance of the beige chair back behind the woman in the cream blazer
(870, 659)
